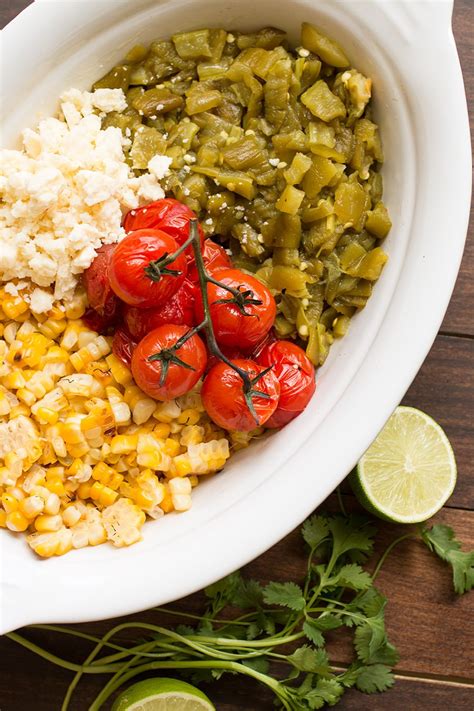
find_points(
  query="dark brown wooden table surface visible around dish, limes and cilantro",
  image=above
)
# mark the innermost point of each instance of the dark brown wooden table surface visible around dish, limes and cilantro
(432, 629)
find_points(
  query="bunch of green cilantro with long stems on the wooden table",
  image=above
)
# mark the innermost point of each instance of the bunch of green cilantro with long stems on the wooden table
(275, 633)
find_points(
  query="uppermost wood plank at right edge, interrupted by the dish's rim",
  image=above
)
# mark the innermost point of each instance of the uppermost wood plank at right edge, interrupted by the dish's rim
(460, 315)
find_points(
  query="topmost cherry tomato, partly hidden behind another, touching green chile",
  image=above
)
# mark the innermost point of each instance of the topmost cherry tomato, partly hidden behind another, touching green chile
(168, 215)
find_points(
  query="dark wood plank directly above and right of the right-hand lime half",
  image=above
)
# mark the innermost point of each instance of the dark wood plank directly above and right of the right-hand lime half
(444, 388)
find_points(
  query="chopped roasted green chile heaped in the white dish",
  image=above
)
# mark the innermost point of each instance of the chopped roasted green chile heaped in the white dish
(278, 153)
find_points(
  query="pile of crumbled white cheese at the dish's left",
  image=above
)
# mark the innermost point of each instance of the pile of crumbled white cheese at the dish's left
(65, 193)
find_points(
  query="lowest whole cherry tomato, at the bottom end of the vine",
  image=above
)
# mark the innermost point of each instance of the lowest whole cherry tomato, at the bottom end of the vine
(223, 396)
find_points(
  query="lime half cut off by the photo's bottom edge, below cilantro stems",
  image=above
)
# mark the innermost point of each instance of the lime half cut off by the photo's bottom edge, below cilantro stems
(162, 694)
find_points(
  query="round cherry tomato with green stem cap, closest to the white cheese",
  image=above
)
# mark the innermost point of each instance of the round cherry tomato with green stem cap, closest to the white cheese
(134, 271)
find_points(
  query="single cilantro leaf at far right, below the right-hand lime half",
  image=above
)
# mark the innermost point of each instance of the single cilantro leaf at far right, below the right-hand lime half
(441, 540)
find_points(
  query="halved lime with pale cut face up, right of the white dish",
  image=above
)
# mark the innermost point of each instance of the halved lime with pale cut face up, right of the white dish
(409, 472)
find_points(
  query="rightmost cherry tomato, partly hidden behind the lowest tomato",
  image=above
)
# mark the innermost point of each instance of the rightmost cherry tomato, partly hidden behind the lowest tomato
(295, 374)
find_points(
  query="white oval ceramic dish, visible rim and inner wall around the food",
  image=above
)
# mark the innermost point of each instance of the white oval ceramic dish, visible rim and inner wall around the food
(408, 49)
